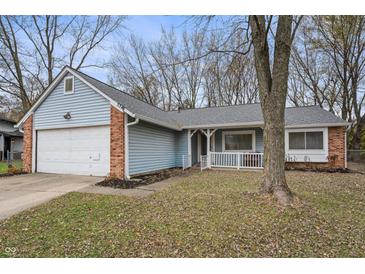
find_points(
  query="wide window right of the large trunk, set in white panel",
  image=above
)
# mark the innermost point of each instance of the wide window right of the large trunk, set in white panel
(306, 140)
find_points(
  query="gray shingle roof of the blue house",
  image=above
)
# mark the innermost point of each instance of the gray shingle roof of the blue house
(249, 114)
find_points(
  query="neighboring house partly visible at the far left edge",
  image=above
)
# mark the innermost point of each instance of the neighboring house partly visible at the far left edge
(10, 140)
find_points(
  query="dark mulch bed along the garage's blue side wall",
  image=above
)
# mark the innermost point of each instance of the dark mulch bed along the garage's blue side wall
(141, 180)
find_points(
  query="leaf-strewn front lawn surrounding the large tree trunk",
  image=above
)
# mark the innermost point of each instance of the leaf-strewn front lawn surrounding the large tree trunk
(208, 214)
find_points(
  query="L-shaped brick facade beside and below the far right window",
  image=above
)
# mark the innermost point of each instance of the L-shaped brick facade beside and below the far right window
(336, 152)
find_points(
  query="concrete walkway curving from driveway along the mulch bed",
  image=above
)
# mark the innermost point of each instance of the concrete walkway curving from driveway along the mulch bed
(139, 192)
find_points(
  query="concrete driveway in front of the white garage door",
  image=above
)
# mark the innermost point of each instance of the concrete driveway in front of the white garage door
(21, 192)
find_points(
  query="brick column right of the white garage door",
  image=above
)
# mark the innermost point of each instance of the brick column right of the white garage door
(116, 143)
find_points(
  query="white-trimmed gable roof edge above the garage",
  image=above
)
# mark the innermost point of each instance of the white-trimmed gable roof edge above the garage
(56, 81)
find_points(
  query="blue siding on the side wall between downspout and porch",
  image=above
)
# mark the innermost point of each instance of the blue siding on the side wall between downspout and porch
(151, 148)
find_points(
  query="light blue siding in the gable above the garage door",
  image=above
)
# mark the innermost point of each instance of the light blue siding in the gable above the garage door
(85, 105)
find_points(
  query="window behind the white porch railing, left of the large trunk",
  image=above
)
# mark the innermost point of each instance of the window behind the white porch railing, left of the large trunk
(239, 141)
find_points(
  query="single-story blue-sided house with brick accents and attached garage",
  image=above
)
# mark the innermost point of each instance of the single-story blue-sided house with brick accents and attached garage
(83, 126)
